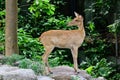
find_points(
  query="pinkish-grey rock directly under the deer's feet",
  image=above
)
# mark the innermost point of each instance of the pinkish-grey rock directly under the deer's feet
(66, 73)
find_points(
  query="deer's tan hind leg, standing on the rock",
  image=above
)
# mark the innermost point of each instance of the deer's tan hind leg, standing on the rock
(48, 50)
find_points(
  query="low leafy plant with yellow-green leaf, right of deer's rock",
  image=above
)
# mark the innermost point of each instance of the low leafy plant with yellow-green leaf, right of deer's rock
(98, 68)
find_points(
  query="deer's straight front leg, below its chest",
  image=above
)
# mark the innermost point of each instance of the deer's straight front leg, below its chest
(74, 51)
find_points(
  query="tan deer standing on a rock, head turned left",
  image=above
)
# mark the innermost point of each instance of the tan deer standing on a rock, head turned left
(71, 39)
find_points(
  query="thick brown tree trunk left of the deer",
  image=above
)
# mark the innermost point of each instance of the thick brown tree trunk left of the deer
(11, 28)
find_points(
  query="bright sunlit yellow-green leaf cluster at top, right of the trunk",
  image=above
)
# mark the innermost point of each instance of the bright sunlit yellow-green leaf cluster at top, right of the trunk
(41, 7)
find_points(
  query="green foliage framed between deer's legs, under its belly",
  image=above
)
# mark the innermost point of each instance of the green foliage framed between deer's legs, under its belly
(60, 57)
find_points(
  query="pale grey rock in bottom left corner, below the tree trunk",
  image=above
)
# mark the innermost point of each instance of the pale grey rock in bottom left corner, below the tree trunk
(14, 73)
